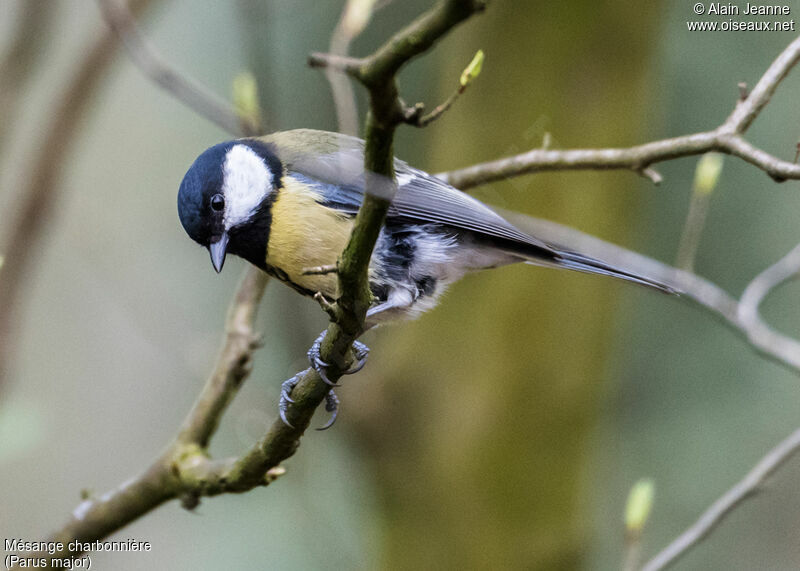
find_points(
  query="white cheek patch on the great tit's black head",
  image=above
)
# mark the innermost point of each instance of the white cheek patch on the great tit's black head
(247, 181)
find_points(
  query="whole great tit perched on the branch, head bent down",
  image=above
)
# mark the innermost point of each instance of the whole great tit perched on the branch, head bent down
(286, 202)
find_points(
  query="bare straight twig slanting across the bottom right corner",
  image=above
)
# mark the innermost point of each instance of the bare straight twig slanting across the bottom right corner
(732, 499)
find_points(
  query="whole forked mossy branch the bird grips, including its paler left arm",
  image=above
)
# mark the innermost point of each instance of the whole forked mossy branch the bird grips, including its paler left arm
(185, 469)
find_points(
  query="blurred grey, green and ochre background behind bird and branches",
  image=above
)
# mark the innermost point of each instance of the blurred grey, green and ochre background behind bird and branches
(502, 430)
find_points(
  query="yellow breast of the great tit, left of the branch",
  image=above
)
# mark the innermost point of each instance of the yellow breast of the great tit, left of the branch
(305, 234)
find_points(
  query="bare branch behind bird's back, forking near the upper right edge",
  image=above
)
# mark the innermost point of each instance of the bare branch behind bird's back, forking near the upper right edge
(727, 138)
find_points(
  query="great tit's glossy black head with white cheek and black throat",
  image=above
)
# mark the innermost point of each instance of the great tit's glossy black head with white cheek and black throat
(225, 198)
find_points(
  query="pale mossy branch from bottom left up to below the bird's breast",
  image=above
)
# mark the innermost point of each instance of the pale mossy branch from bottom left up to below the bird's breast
(184, 469)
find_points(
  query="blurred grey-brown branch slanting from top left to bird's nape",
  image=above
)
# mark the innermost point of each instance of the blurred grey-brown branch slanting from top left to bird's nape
(194, 95)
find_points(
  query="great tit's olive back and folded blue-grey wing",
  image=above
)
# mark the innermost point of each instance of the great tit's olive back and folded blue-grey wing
(336, 166)
